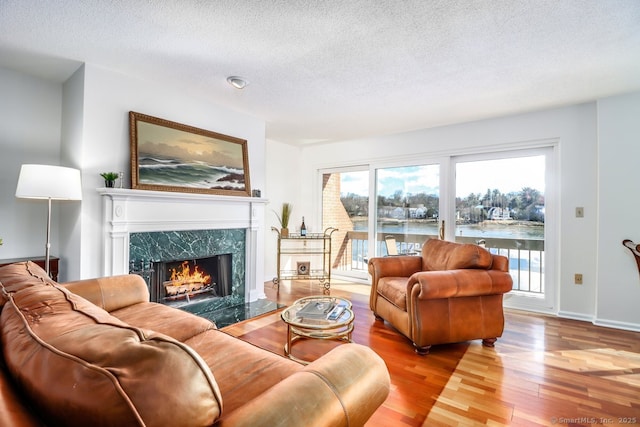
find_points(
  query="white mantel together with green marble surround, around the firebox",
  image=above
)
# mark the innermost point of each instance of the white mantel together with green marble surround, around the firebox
(145, 227)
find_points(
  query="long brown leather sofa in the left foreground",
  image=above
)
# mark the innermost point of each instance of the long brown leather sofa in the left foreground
(98, 353)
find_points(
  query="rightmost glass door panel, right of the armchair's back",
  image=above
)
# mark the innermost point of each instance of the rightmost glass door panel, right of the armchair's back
(500, 203)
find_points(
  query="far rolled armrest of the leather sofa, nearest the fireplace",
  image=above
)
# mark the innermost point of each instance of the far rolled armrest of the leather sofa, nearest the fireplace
(111, 293)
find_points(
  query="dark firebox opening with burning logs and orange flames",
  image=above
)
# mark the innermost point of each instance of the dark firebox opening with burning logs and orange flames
(191, 279)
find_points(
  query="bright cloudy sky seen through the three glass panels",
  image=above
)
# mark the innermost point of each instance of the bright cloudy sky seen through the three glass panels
(506, 175)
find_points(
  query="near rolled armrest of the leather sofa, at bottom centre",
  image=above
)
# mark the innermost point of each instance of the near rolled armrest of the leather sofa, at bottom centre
(342, 388)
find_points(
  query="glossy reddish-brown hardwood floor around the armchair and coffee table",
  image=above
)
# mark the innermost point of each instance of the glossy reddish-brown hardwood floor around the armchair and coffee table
(543, 371)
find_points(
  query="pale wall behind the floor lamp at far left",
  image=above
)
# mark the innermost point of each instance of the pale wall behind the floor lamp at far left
(30, 110)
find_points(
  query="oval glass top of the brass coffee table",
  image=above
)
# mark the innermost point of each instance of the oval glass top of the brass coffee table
(295, 316)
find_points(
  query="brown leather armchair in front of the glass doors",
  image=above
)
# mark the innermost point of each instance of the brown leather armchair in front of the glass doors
(452, 293)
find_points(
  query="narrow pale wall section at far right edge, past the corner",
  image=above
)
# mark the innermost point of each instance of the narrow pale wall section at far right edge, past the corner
(618, 291)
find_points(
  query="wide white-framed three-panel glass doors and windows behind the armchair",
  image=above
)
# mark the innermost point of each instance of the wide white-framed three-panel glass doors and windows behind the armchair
(502, 201)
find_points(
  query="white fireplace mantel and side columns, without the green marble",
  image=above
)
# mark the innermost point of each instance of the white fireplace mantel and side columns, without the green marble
(127, 212)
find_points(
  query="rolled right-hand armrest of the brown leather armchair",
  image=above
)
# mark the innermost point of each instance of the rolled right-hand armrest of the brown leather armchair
(459, 283)
